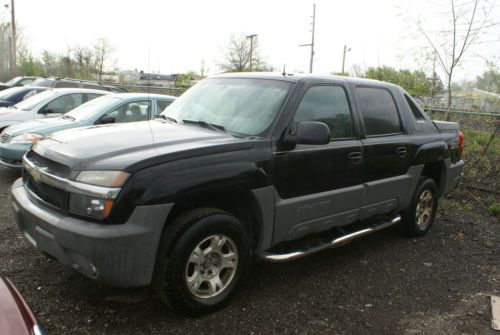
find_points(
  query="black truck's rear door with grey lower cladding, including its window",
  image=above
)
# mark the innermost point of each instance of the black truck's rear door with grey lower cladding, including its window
(386, 151)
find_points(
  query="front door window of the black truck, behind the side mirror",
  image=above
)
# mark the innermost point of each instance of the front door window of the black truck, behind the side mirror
(327, 104)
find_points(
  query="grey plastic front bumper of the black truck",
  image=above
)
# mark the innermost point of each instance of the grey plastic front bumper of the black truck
(122, 255)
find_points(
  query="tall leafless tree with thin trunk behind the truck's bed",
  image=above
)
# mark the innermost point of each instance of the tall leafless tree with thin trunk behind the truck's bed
(467, 21)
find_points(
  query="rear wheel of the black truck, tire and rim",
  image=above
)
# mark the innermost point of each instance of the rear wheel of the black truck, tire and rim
(419, 216)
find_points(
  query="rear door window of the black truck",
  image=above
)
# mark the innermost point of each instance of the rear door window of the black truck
(380, 115)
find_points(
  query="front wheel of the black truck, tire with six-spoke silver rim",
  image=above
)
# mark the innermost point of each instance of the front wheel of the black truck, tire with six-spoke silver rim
(205, 263)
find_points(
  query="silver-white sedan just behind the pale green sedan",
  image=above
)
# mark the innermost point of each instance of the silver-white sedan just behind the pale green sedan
(49, 103)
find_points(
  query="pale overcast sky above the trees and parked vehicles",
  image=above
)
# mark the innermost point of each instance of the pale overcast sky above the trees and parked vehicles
(175, 36)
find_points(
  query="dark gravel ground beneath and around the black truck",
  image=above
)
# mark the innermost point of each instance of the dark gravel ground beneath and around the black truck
(380, 284)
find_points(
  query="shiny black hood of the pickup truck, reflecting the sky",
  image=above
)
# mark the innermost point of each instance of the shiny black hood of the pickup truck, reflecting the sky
(121, 146)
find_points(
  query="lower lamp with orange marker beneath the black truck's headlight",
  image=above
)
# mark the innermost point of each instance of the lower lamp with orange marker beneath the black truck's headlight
(93, 207)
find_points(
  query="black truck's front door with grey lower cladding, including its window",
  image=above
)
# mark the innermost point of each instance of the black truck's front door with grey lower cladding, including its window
(319, 186)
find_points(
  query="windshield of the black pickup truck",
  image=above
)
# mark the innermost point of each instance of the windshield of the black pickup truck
(244, 106)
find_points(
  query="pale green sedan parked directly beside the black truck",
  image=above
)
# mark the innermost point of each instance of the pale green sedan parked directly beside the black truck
(113, 108)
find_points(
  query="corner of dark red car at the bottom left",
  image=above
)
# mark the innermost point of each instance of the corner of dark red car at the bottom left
(16, 317)
